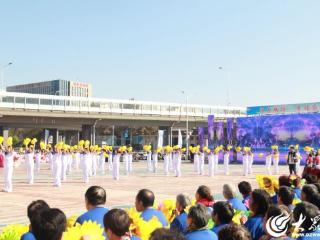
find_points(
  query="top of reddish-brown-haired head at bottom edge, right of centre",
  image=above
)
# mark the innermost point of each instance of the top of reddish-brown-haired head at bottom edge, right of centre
(234, 232)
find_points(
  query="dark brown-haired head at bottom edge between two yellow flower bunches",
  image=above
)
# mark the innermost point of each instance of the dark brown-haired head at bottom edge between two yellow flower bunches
(116, 225)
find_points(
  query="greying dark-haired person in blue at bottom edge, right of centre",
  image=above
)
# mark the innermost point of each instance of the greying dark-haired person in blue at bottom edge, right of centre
(197, 224)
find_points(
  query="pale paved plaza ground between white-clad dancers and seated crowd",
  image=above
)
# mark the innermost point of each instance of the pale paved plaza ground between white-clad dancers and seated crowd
(70, 197)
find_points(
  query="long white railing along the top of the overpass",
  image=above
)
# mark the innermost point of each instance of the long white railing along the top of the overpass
(100, 105)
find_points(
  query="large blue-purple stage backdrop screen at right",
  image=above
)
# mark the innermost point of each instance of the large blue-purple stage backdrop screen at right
(261, 132)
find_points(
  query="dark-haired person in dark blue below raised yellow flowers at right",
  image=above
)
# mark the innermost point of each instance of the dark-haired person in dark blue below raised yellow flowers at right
(259, 204)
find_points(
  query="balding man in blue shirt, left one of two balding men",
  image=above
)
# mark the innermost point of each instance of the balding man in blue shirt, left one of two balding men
(95, 199)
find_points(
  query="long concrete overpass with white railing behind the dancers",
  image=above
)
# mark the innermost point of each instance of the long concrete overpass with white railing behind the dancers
(60, 113)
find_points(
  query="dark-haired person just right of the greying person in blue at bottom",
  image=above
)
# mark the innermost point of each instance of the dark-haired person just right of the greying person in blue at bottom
(222, 215)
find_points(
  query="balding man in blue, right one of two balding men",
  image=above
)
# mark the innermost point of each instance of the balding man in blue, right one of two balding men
(144, 204)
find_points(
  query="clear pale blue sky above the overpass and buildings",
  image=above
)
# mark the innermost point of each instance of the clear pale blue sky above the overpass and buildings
(151, 50)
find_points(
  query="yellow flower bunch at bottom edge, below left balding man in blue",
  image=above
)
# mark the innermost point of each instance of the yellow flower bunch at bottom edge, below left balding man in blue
(91, 229)
